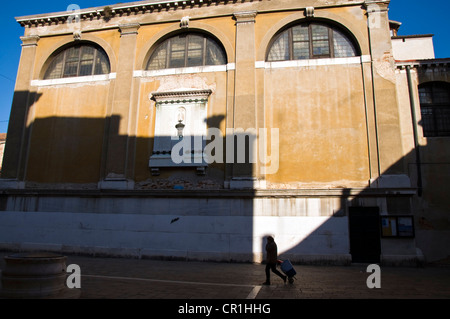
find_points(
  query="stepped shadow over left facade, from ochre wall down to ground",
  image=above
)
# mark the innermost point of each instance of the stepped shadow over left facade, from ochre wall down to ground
(178, 214)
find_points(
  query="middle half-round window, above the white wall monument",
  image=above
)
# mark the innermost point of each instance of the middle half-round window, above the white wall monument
(186, 50)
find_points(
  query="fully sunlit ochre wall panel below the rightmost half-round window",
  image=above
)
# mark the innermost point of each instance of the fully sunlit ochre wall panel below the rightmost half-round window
(320, 114)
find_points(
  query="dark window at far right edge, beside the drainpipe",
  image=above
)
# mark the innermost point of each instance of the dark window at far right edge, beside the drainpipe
(435, 108)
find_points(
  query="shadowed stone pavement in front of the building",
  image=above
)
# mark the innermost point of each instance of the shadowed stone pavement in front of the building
(123, 278)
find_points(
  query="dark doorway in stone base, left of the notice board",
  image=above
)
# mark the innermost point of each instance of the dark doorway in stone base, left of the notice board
(364, 227)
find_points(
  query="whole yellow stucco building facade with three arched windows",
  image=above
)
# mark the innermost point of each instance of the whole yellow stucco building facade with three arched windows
(236, 119)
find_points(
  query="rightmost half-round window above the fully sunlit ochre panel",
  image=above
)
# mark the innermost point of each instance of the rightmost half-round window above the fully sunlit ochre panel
(311, 41)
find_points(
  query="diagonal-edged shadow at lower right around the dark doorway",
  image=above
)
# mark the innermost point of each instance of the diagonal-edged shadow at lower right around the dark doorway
(367, 223)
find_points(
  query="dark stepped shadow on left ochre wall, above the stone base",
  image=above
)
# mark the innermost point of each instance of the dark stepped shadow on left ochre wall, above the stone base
(84, 151)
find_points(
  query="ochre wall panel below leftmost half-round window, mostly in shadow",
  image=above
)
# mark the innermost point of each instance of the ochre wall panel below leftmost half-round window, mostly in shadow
(67, 134)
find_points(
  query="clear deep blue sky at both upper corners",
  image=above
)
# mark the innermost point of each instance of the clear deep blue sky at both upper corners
(417, 16)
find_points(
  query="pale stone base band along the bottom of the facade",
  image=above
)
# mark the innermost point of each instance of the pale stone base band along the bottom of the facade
(309, 226)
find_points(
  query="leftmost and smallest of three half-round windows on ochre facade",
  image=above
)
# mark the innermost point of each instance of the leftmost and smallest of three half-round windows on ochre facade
(78, 60)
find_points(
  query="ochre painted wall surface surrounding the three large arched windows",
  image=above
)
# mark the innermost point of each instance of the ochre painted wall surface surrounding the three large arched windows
(319, 110)
